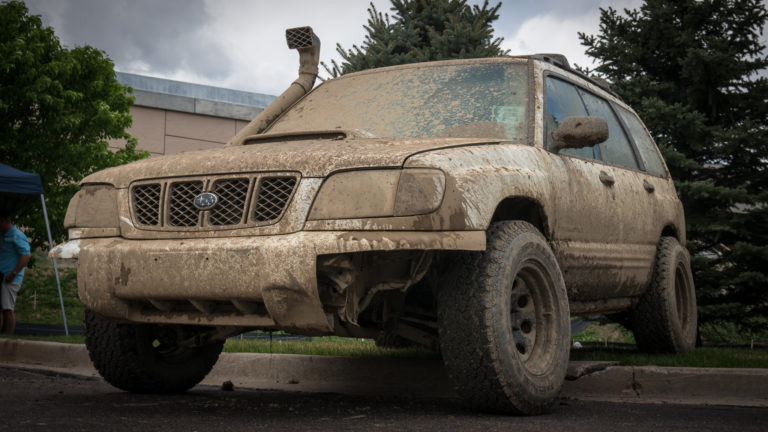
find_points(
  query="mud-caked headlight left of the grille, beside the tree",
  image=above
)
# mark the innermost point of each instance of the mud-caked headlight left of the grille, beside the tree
(93, 206)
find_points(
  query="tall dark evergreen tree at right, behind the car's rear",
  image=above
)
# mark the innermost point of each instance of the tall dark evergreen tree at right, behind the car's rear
(695, 71)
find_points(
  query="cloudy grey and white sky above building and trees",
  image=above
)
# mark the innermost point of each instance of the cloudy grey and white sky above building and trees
(240, 44)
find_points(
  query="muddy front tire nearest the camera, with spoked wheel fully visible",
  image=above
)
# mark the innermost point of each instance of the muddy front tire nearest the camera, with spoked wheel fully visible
(482, 313)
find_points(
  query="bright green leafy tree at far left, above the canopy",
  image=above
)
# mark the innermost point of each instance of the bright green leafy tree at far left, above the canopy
(58, 109)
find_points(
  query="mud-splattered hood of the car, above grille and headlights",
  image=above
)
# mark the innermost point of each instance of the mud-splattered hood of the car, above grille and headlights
(313, 158)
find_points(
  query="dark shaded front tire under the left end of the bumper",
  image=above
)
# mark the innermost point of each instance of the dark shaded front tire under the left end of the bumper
(128, 357)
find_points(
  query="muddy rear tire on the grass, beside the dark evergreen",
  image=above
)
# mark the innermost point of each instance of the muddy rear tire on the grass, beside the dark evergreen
(665, 318)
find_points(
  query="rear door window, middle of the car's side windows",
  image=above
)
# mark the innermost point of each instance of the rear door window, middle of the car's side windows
(617, 149)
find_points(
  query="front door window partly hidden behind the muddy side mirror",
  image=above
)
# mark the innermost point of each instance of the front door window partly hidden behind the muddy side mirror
(563, 100)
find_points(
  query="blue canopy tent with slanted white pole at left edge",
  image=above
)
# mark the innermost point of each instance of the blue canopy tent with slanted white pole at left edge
(18, 188)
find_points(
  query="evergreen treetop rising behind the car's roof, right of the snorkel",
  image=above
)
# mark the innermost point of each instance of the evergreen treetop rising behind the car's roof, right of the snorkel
(422, 30)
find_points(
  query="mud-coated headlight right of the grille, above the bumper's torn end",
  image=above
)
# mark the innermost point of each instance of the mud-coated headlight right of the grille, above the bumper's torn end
(379, 193)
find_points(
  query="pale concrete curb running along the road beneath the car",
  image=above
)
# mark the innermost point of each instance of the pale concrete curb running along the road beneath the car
(427, 378)
